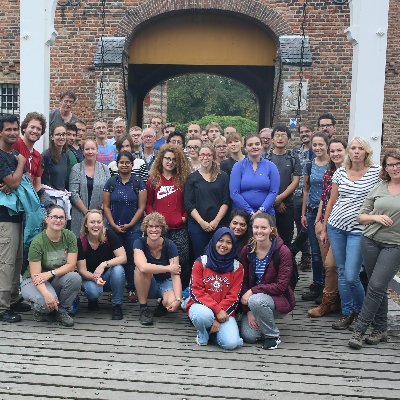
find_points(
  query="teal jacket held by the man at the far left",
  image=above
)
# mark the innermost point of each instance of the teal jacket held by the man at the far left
(25, 199)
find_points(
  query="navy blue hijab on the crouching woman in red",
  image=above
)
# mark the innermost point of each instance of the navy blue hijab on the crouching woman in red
(216, 261)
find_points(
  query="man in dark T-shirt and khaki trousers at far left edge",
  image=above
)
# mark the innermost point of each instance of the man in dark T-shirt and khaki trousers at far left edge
(11, 170)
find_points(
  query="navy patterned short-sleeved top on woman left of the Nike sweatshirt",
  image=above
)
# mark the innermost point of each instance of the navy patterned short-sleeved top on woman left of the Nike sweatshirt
(124, 201)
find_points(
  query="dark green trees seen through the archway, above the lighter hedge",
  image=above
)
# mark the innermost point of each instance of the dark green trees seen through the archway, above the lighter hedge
(190, 97)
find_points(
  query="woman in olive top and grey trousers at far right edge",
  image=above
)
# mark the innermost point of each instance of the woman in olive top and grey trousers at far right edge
(380, 247)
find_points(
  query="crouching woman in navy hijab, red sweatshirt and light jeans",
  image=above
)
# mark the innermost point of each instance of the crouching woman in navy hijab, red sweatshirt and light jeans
(214, 292)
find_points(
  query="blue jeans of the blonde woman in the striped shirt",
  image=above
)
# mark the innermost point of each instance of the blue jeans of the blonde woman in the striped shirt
(346, 248)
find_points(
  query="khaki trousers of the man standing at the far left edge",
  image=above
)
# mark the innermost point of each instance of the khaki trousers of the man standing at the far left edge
(11, 245)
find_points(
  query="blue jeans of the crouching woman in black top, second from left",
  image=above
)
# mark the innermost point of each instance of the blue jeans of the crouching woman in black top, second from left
(115, 282)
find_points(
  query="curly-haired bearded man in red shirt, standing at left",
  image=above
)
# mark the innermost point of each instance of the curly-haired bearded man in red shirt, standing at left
(32, 128)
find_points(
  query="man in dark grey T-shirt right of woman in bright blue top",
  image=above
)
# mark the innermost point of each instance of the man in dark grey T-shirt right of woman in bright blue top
(289, 168)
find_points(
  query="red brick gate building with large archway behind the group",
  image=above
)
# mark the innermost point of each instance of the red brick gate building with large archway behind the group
(77, 62)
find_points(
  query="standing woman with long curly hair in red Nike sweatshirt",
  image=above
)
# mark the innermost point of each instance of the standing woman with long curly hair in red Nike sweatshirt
(165, 188)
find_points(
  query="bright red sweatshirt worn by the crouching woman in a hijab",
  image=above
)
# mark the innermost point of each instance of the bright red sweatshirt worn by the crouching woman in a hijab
(213, 290)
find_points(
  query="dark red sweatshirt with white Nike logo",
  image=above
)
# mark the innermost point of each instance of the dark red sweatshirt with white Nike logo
(167, 199)
